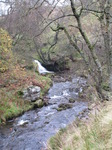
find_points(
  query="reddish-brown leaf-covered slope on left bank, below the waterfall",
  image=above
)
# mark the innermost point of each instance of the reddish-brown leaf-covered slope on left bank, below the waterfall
(18, 77)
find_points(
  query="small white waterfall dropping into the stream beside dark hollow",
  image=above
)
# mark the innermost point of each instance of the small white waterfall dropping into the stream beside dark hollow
(40, 68)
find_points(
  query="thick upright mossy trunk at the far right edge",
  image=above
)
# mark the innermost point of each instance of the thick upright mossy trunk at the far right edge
(105, 7)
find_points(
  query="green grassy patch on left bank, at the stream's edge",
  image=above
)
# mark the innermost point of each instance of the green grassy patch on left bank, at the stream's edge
(11, 105)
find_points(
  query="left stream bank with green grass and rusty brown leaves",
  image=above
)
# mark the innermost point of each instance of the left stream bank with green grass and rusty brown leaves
(11, 102)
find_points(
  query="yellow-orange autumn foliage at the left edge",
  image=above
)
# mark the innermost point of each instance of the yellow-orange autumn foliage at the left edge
(5, 50)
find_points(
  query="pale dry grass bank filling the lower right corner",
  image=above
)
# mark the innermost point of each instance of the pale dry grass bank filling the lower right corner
(94, 134)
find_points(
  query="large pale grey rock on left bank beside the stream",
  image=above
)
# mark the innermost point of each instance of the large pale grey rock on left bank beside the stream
(32, 93)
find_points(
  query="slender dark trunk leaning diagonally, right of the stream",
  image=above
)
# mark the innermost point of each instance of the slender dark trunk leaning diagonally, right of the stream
(91, 50)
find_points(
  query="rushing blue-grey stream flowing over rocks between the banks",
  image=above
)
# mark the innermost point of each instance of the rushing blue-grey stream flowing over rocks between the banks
(42, 123)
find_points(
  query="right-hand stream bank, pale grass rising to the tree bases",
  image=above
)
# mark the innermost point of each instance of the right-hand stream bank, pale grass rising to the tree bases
(92, 128)
